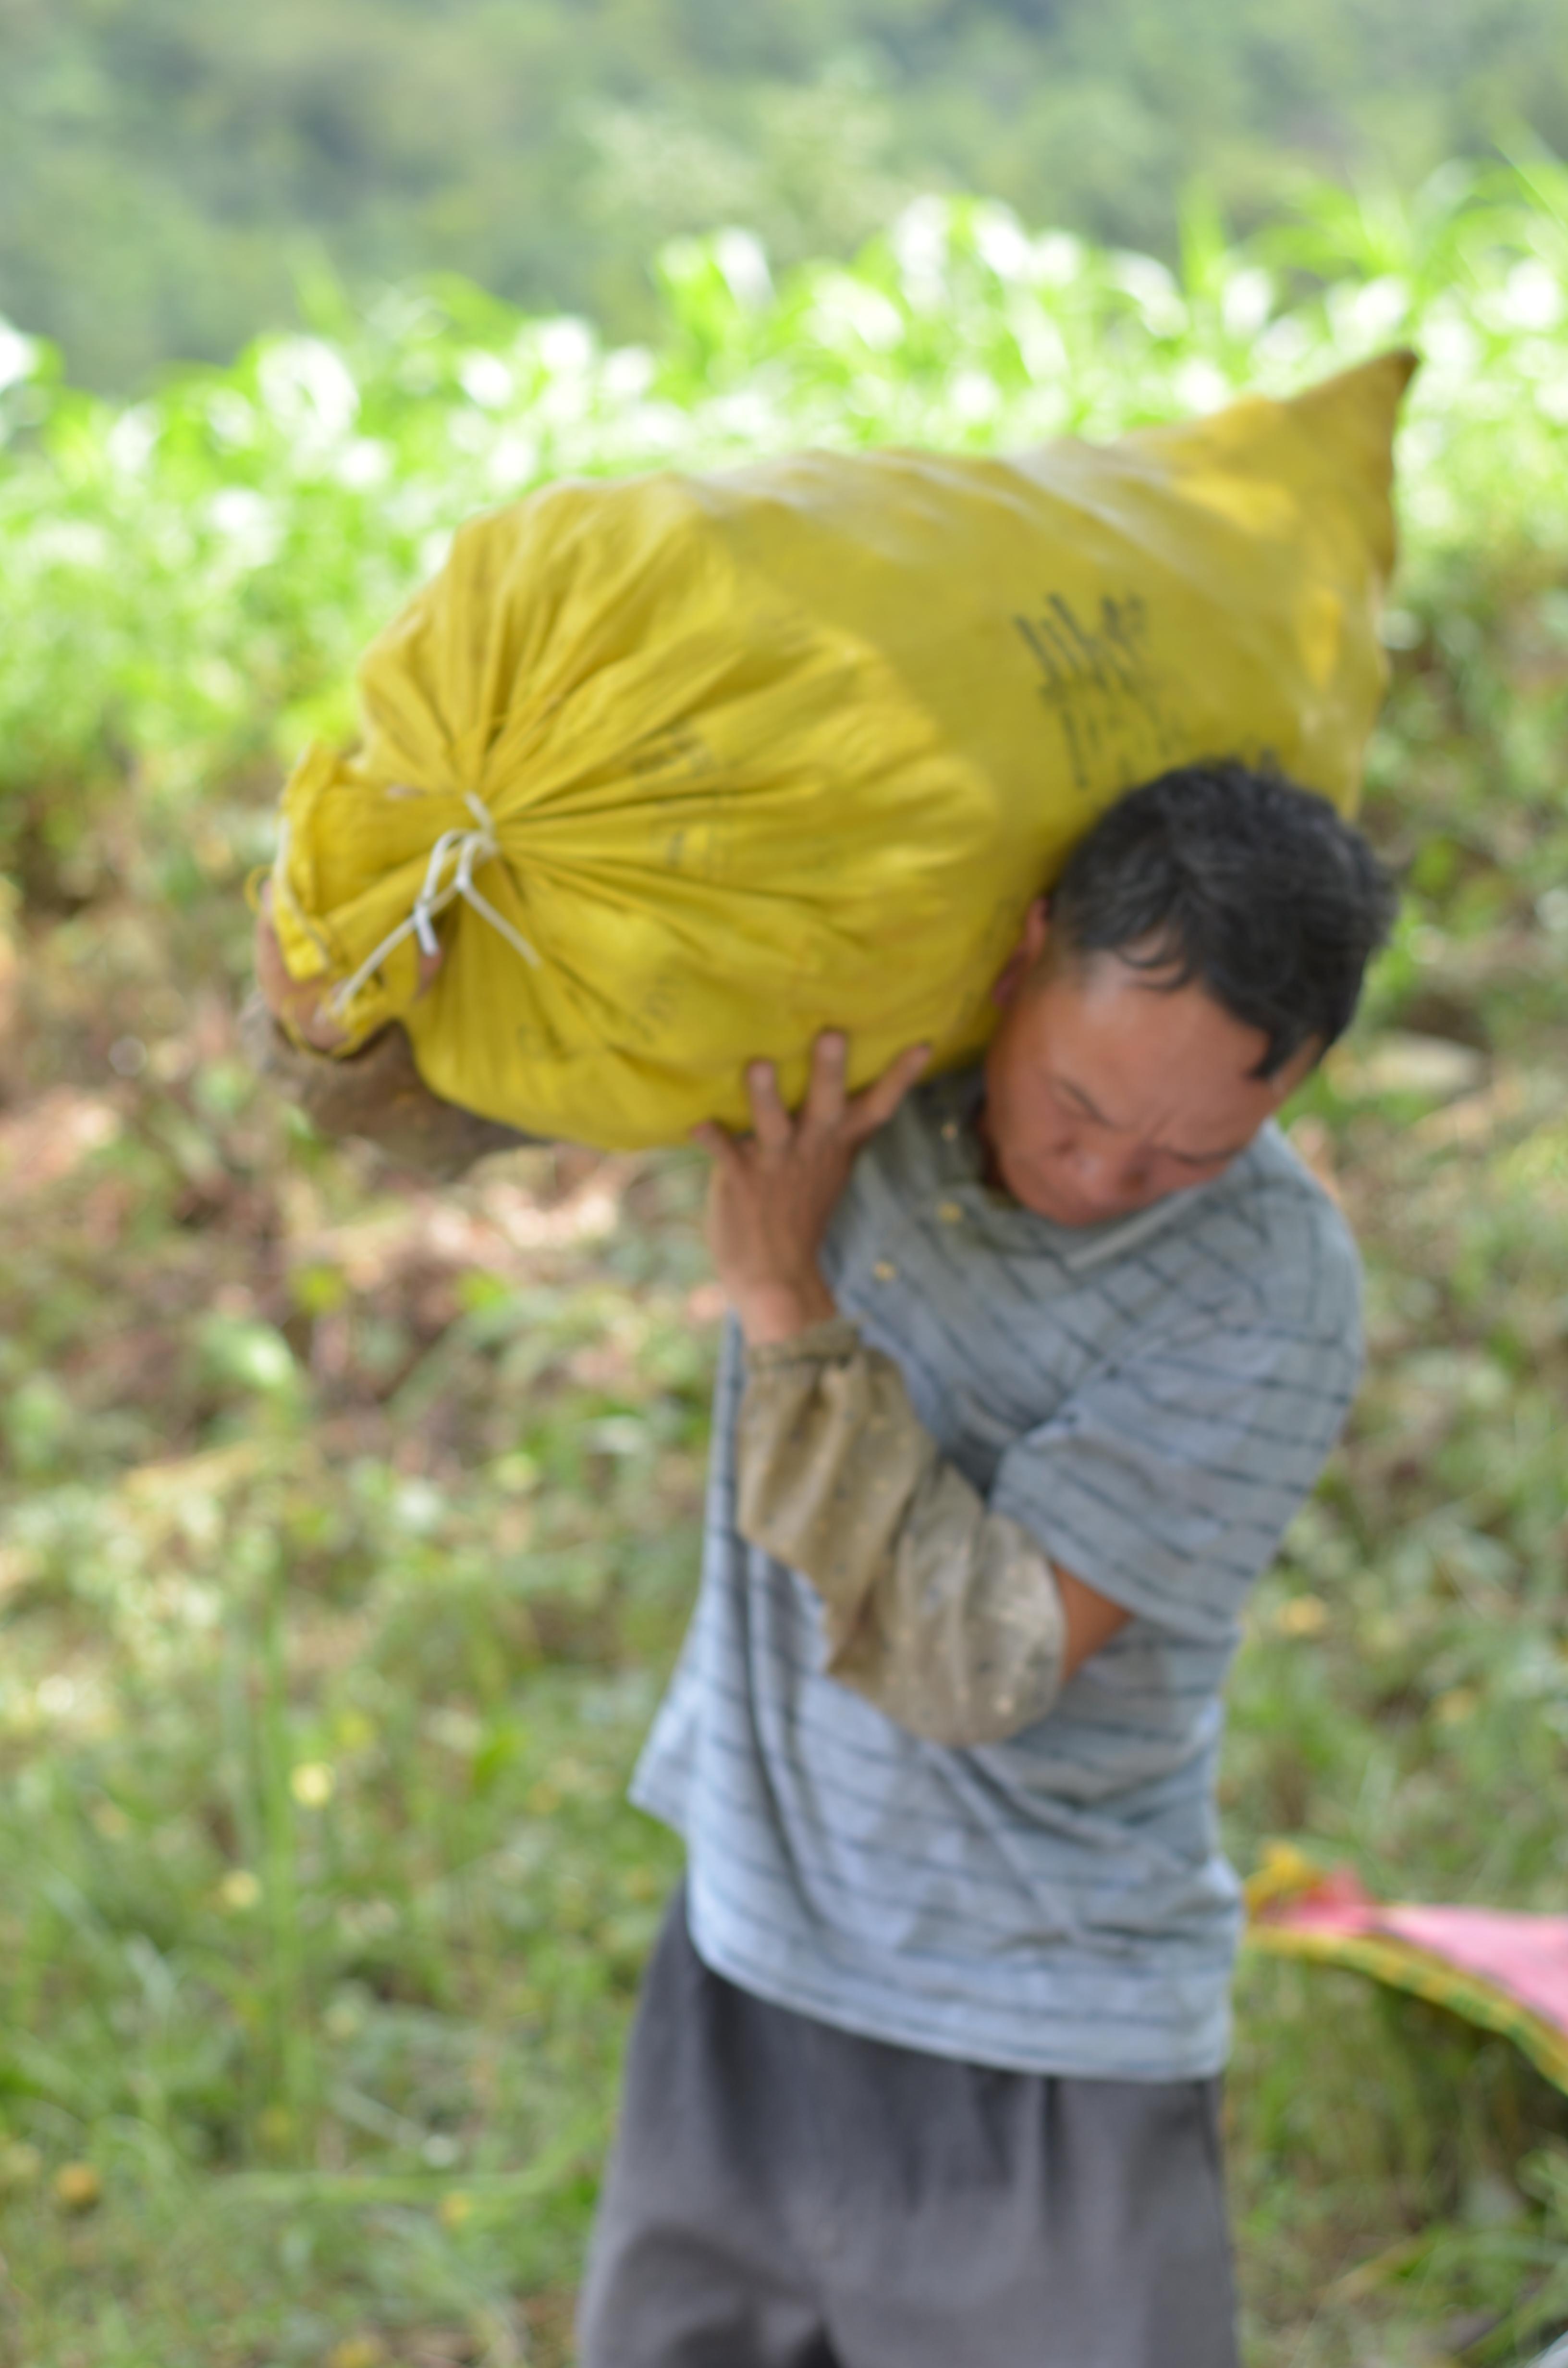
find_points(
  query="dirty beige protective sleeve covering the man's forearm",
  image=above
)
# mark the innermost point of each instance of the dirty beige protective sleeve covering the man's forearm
(939, 1611)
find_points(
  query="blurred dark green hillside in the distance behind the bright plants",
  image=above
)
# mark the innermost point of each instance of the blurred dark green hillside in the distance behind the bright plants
(172, 174)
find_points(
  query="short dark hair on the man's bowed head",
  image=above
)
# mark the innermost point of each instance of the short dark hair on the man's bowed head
(1242, 882)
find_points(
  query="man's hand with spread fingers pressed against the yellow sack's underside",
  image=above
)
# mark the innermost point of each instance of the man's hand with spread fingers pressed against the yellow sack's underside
(778, 1188)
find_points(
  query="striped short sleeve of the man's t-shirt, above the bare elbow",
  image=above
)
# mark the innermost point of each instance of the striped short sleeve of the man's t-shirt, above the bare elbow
(1169, 1479)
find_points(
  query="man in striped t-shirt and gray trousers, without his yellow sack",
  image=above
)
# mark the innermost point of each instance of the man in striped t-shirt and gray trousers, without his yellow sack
(1029, 1370)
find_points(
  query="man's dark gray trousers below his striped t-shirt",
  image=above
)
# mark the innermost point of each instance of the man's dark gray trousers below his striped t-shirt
(790, 2196)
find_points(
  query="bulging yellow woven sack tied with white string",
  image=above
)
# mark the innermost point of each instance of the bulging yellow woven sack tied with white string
(688, 768)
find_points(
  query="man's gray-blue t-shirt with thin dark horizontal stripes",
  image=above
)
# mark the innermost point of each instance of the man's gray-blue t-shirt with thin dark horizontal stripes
(1152, 1401)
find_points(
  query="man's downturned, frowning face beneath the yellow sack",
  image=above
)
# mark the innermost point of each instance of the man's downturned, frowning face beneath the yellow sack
(1107, 1093)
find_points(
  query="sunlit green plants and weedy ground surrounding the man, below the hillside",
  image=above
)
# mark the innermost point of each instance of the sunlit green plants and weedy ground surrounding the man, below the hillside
(347, 1531)
